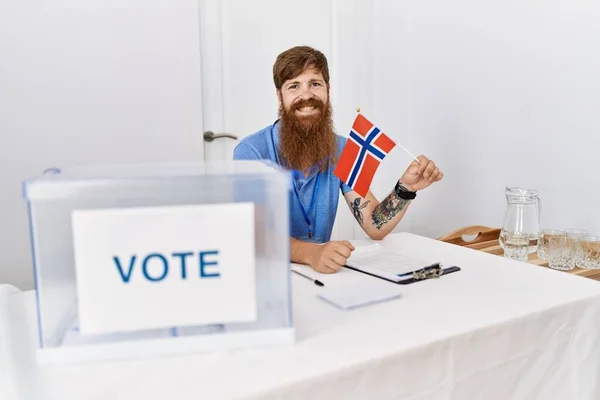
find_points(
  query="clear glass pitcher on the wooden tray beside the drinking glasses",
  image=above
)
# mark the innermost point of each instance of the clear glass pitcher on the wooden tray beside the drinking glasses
(522, 218)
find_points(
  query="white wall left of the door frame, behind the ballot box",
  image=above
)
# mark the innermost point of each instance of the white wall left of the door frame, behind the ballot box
(89, 83)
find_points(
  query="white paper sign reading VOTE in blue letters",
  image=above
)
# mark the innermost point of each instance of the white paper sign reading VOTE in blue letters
(164, 266)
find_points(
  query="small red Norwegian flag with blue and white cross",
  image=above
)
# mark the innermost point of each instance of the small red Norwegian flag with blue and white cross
(365, 148)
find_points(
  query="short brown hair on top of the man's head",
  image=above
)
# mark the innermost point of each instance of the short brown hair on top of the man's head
(294, 61)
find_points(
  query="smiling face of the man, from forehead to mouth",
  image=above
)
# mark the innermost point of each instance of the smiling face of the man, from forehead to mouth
(305, 96)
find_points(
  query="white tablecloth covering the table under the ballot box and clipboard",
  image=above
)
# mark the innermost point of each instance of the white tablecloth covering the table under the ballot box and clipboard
(499, 329)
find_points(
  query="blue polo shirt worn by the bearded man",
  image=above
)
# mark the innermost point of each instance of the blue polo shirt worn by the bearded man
(323, 186)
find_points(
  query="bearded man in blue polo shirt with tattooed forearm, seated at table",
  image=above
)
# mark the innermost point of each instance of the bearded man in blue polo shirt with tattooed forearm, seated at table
(303, 140)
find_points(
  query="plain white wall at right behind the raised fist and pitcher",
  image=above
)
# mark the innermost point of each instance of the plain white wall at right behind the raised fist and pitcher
(497, 93)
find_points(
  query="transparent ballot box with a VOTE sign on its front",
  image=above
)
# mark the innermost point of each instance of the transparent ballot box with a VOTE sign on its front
(142, 260)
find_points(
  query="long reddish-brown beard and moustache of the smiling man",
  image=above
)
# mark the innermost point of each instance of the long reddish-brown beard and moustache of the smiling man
(307, 141)
